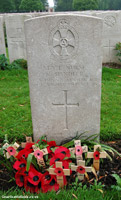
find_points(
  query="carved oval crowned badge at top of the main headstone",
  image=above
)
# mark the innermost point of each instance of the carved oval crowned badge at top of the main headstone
(63, 40)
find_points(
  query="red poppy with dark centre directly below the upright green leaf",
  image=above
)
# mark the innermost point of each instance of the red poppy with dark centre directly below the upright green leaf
(34, 177)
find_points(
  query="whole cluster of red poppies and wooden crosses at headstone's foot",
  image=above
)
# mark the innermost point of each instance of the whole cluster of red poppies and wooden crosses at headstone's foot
(44, 166)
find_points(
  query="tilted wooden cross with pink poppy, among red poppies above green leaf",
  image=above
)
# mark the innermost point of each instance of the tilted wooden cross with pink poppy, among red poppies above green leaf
(39, 153)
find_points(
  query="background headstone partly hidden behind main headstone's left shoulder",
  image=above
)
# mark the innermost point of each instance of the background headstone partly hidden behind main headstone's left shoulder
(16, 36)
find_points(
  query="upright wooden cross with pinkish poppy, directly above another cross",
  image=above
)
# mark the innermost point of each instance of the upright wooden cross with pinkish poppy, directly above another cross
(78, 150)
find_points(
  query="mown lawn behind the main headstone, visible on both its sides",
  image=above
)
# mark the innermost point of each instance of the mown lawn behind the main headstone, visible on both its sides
(15, 111)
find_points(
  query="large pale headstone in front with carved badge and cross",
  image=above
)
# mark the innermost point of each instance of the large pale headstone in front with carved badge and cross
(65, 62)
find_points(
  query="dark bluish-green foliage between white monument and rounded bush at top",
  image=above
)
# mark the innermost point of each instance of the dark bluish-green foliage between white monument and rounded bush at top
(64, 5)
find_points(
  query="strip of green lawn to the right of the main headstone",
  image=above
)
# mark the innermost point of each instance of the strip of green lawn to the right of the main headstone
(111, 104)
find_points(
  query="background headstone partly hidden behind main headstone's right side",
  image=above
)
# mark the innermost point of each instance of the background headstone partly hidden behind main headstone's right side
(111, 34)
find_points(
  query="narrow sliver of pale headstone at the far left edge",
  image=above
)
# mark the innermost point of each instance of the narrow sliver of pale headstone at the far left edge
(2, 39)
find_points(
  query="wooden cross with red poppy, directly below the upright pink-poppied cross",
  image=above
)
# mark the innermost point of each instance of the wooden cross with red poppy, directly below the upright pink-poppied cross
(81, 169)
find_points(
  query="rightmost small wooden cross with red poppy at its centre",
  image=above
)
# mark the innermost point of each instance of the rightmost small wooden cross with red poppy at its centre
(96, 155)
